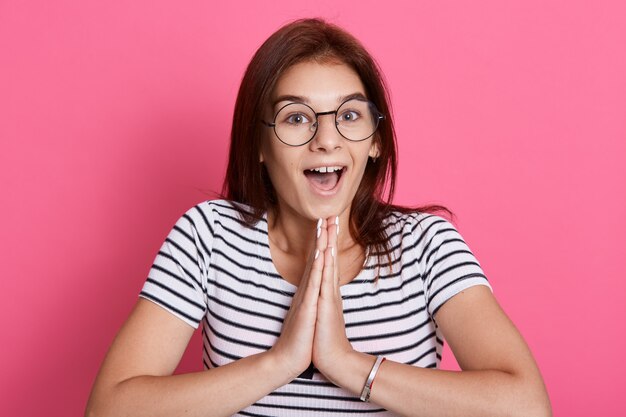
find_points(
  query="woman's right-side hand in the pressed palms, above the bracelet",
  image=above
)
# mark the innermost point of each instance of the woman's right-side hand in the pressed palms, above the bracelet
(330, 344)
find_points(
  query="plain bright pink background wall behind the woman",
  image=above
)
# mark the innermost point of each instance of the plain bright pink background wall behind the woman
(114, 119)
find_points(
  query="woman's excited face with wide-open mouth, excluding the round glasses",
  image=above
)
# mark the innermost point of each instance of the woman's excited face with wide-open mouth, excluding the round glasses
(293, 170)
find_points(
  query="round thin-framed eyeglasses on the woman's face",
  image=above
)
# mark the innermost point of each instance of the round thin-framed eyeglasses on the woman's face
(296, 124)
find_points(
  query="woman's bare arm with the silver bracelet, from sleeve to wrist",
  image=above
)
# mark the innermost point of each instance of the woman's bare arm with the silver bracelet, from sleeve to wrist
(499, 377)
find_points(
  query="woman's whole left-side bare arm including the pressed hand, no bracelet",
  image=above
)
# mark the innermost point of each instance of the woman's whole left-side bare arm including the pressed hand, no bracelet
(136, 376)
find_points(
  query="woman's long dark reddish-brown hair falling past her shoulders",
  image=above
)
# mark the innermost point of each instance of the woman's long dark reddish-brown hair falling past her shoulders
(247, 180)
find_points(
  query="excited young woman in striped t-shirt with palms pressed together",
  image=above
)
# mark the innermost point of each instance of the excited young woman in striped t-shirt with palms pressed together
(309, 285)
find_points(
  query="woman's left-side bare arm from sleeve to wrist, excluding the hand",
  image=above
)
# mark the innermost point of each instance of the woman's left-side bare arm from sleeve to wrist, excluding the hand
(135, 378)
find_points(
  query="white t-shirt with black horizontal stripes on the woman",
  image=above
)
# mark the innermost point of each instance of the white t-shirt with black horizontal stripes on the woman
(214, 270)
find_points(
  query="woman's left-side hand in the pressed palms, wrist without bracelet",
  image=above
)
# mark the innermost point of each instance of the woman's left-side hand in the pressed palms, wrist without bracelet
(294, 347)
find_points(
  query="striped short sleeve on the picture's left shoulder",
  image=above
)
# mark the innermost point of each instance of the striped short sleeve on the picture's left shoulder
(177, 278)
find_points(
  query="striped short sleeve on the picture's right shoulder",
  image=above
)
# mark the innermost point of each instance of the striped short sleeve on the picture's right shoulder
(448, 264)
